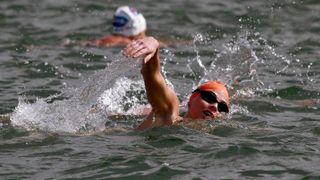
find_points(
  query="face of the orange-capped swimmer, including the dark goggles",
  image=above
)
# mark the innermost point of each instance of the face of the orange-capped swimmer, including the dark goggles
(208, 104)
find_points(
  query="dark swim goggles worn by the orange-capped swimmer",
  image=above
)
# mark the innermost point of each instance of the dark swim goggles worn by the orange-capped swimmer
(211, 97)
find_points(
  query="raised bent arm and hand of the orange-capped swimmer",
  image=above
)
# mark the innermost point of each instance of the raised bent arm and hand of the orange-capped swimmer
(163, 100)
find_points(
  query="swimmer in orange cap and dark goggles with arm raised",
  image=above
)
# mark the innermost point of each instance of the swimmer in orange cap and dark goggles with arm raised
(209, 100)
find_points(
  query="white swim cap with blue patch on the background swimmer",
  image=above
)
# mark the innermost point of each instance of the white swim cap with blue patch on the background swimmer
(128, 21)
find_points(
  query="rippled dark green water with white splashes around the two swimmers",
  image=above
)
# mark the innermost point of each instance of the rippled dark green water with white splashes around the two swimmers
(49, 84)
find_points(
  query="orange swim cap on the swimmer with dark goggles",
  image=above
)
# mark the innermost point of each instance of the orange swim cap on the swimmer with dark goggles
(216, 86)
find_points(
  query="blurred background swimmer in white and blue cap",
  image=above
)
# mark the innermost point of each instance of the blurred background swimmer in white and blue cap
(128, 25)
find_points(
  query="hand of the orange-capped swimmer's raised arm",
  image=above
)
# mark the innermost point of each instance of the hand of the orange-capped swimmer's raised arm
(147, 46)
